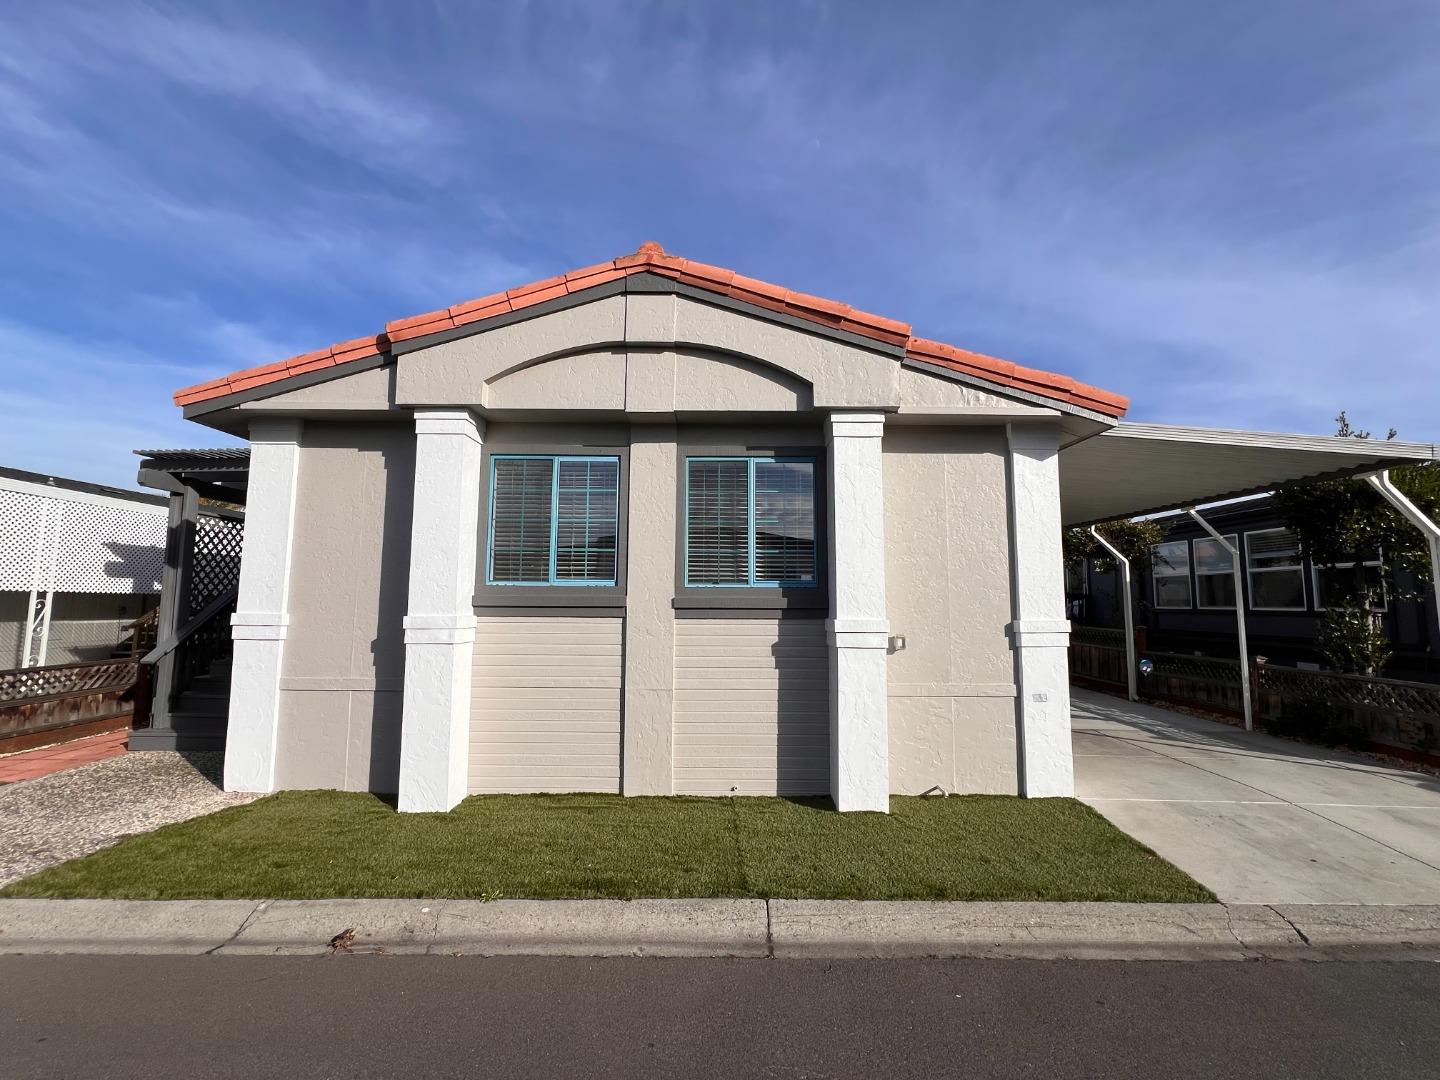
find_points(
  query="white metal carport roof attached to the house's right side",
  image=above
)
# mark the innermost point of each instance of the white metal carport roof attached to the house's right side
(1146, 469)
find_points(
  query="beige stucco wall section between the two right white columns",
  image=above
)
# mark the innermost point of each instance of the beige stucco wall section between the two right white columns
(951, 689)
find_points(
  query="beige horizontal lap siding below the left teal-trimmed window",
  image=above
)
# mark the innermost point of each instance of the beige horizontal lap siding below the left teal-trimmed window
(546, 705)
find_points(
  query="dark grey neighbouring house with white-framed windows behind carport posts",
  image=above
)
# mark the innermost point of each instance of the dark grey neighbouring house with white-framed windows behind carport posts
(1187, 595)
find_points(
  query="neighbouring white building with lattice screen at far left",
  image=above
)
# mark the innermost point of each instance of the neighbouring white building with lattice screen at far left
(78, 564)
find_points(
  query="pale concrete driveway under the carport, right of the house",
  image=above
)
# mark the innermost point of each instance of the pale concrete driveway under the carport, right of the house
(1259, 820)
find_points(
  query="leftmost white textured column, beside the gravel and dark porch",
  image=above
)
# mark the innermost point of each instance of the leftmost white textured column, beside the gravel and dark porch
(263, 608)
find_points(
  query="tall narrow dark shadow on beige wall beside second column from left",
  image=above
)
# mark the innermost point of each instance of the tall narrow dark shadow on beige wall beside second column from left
(388, 649)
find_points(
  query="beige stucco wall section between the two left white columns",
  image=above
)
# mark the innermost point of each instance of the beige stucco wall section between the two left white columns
(345, 657)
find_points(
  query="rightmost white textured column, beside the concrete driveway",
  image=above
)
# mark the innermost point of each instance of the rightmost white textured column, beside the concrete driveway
(1040, 633)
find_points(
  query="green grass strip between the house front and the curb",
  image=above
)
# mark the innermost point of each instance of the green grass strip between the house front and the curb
(346, 845)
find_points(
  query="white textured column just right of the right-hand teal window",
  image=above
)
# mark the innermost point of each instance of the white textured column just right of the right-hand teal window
(859, 626)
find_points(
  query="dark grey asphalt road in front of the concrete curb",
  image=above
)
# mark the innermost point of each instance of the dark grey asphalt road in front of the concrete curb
(531, 1017)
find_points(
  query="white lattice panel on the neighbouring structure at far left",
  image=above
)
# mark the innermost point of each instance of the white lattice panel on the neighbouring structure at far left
(99, 546)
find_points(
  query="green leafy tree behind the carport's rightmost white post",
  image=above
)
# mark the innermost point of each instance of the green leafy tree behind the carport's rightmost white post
(1347, 522)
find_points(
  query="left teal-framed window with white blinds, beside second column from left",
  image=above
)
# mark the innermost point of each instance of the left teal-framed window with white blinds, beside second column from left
(554, 521)
